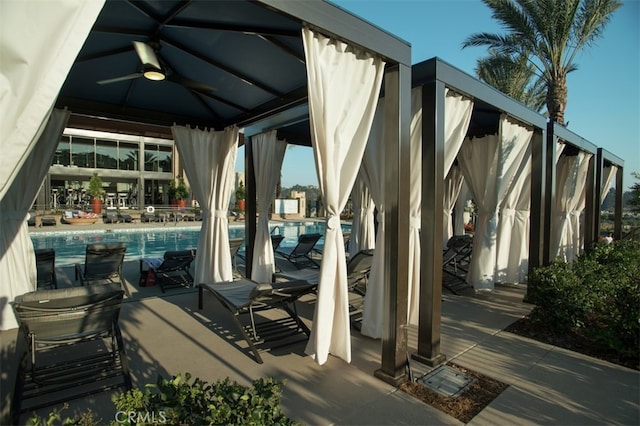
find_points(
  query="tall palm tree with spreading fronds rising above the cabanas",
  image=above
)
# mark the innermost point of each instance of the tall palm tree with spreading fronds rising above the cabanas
(550, 33)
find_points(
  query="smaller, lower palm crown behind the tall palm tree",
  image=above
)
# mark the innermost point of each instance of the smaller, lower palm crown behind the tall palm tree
(515, 77)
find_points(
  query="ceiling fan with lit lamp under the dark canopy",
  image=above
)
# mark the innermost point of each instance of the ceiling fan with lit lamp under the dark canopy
(156, 69)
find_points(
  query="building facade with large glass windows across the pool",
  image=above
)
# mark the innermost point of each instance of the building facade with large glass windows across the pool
(136, 170)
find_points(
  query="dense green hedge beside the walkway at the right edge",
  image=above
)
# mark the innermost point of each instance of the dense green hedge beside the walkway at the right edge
(598, 296)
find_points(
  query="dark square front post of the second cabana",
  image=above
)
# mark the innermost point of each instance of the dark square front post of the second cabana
(433, 111)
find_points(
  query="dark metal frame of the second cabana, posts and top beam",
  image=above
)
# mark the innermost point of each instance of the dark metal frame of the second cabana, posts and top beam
(434, 76)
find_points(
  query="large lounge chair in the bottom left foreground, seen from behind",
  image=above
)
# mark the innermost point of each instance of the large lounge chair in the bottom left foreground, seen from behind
(49, 371)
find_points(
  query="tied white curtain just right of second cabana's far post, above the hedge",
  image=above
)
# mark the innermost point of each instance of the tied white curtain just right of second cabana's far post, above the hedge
(570, 185)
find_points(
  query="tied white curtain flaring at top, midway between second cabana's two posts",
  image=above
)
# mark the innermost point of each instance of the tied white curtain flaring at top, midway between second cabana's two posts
(489, 165)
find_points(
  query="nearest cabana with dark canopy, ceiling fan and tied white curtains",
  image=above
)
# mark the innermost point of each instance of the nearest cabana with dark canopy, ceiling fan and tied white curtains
(217, 66)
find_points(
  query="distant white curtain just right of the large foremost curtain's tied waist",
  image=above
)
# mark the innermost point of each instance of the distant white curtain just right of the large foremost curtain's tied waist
(362, 228)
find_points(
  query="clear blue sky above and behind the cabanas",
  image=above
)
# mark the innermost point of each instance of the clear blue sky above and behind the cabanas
(604, 93)
